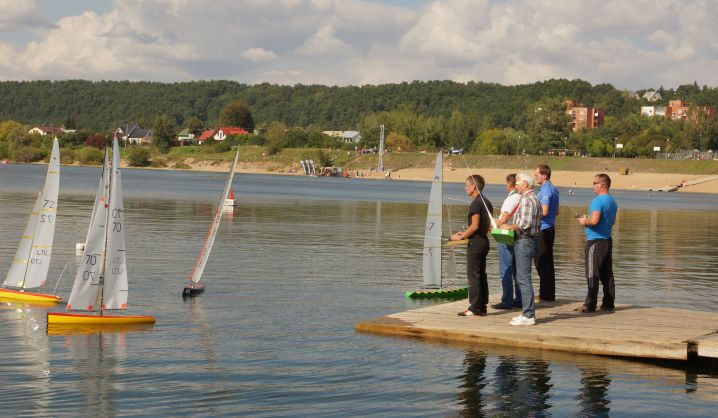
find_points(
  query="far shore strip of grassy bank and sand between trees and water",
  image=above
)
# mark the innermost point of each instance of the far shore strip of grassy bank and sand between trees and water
(642, 174)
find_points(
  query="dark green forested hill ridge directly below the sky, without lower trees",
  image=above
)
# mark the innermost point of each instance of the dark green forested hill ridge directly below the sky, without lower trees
(104, 104)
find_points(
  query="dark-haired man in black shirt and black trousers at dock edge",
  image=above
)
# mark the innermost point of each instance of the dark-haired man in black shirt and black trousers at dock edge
(479, 221)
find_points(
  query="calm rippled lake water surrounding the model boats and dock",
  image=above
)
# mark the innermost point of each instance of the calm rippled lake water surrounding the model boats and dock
(299, 263)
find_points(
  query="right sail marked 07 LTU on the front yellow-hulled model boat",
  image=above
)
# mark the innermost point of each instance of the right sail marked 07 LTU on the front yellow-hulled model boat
(114, 294)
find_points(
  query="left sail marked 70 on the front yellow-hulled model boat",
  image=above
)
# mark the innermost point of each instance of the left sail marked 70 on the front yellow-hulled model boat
(85, 290)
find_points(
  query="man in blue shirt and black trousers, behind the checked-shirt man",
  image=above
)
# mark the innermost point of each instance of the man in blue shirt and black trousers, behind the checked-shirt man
(548, 197)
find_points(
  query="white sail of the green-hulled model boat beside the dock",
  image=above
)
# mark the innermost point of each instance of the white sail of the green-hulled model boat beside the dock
(432, 231)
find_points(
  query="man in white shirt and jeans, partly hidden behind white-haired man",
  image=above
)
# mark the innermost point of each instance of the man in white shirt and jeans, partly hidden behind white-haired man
(507, 265)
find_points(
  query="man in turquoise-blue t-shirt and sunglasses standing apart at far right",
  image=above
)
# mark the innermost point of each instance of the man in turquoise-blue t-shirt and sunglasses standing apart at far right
(599, 245)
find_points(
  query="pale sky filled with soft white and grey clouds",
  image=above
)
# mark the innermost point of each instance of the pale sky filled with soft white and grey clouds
(631, 44)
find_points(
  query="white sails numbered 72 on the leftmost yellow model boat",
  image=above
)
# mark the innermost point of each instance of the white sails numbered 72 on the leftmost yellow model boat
(30, 265)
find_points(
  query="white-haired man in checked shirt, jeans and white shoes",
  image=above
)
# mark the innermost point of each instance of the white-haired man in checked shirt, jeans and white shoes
(527, 224)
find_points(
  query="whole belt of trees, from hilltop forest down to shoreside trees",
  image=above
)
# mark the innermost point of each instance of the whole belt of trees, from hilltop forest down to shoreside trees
(484, 118)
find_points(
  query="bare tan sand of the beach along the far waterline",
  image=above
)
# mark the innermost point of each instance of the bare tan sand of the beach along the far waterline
(632, 181)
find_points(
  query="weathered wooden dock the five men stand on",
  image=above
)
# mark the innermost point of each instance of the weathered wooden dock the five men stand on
(629, 331)
